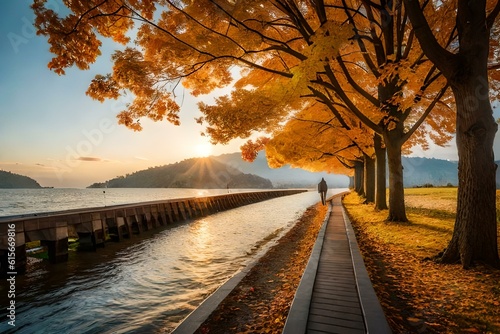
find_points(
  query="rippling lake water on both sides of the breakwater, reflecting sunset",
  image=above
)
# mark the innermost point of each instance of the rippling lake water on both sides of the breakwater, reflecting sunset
(147, 284)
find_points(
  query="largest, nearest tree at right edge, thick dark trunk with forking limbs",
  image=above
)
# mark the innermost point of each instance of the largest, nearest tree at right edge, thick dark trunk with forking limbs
(465, 64)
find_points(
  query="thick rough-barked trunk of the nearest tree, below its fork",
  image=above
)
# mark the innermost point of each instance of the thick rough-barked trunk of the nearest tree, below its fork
(475, 232)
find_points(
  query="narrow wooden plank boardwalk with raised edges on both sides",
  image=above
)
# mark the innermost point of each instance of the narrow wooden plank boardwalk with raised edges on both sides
(335, 294)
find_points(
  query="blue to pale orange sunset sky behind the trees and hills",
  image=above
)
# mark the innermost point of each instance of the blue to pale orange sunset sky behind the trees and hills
(52, 132)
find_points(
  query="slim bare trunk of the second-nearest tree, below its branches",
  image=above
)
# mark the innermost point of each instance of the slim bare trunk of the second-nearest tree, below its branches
(397, 211)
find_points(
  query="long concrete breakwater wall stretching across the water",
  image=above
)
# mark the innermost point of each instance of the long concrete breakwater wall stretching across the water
(94, 227)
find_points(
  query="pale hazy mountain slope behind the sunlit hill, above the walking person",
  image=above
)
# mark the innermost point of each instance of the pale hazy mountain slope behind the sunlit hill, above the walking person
(284, 177)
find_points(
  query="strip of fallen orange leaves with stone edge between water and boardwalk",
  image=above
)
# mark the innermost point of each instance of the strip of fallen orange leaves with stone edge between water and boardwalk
(260, 296)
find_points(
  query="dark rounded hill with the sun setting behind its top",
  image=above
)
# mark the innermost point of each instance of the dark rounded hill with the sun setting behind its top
(201, 173)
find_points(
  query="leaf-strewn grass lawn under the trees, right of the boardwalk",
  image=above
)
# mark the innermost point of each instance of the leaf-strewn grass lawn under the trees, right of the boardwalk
(418, 294)
